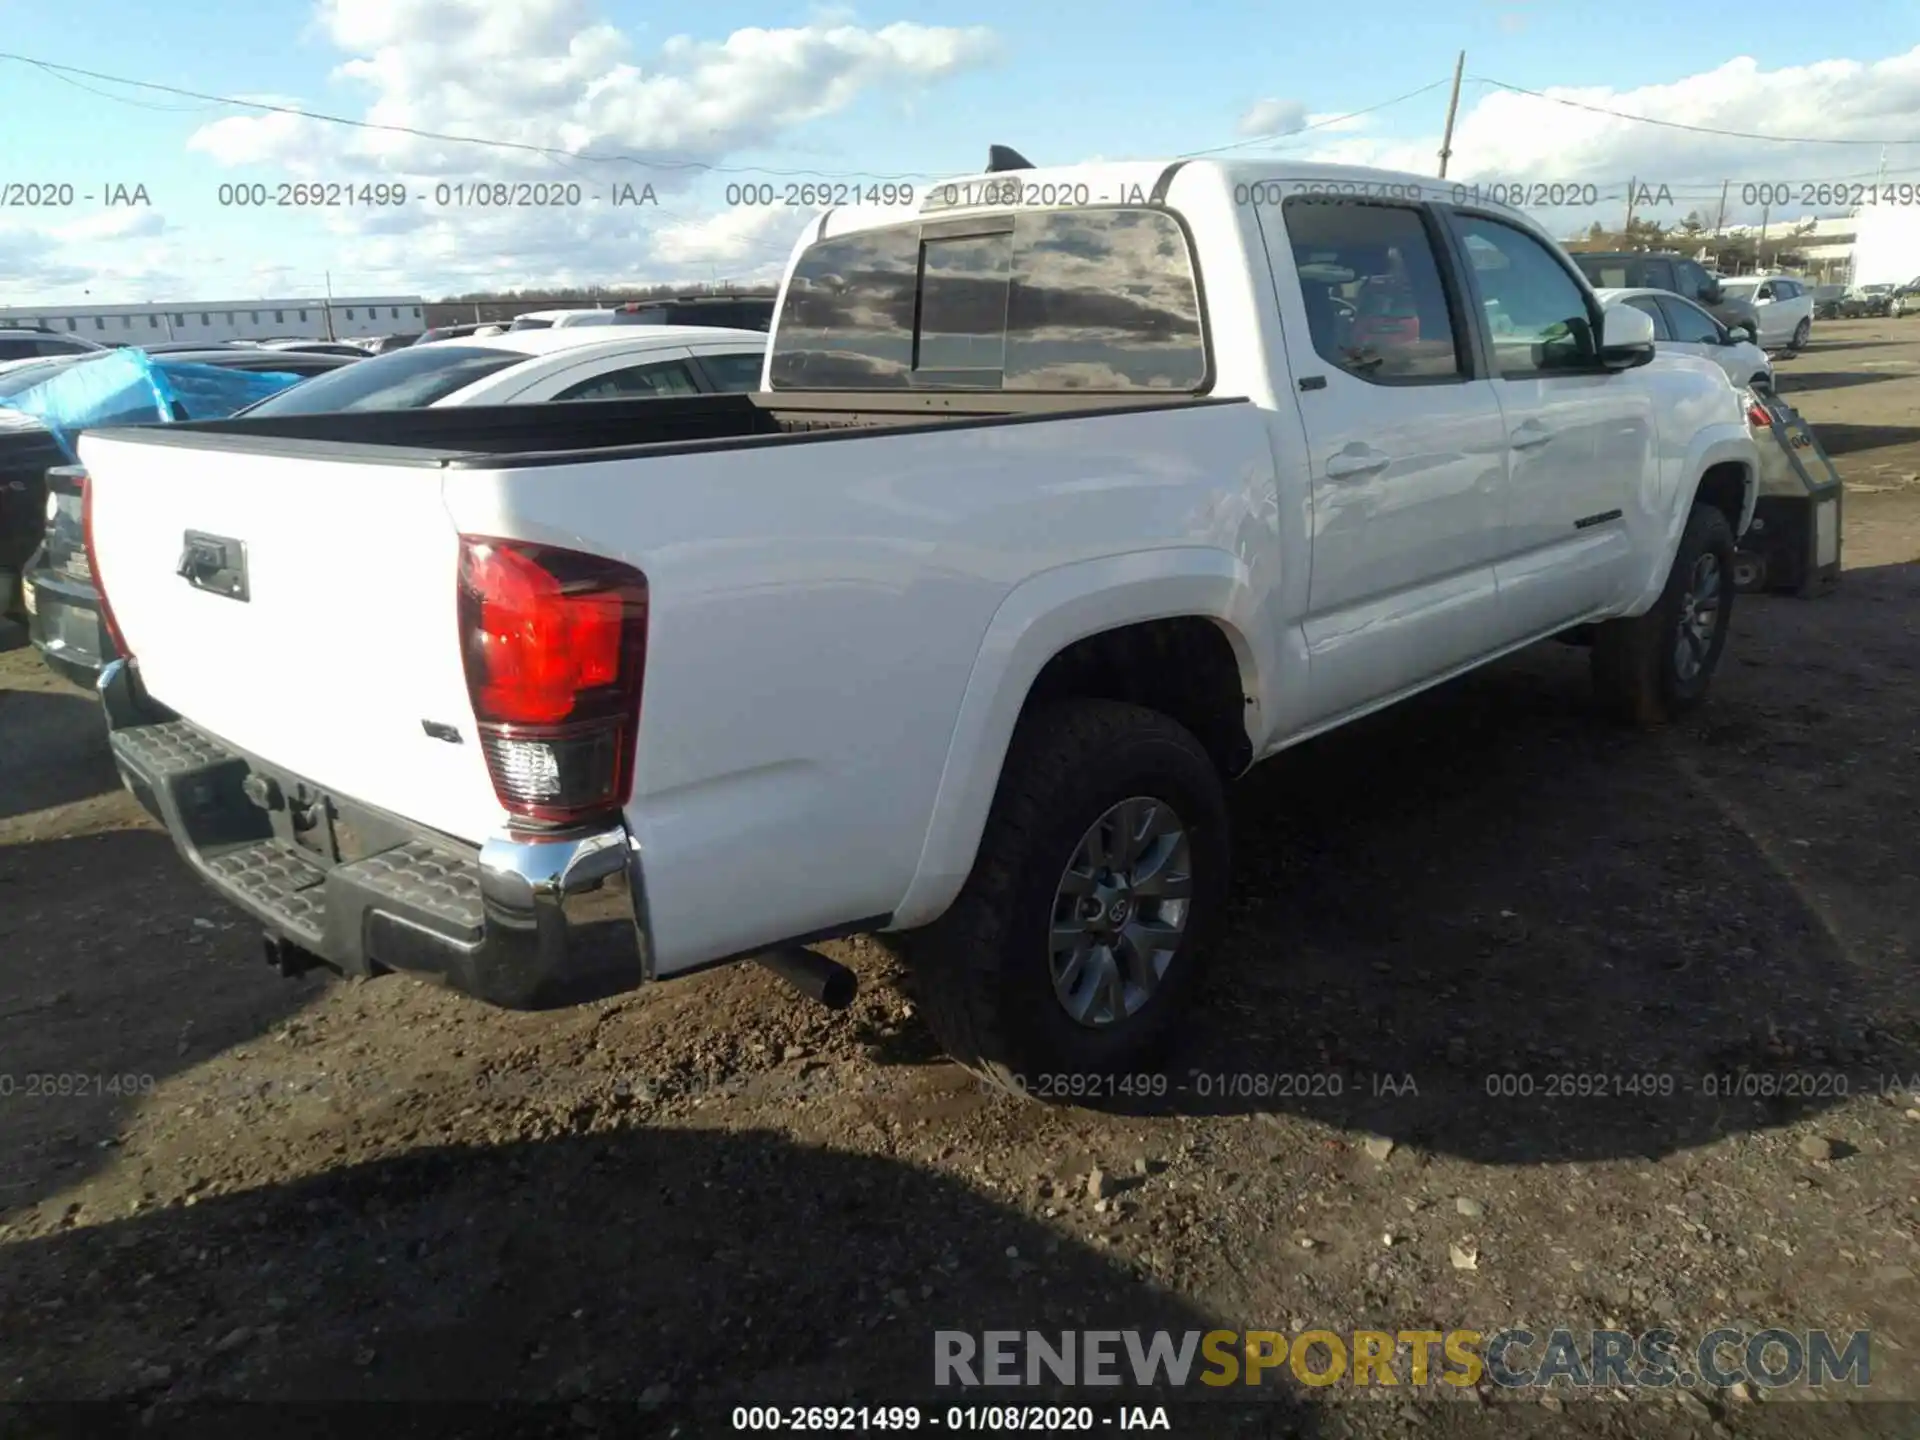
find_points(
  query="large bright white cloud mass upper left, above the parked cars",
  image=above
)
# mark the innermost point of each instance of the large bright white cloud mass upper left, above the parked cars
(556, 76)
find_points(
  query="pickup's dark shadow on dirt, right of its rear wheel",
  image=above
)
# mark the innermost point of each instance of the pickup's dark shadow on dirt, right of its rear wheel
(1495, 926)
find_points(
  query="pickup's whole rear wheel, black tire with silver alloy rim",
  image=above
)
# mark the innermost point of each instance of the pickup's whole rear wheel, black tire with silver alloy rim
(1072, 951)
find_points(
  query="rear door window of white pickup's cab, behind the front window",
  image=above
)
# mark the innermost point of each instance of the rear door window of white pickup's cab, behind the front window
(1372, 287)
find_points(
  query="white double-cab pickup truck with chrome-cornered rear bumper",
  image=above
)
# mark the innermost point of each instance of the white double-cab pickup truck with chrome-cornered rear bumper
(1068, 496)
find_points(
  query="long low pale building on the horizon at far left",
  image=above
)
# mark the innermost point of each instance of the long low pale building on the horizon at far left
(343, 318)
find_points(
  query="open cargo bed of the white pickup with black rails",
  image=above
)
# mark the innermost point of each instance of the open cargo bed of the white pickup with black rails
(604, 431)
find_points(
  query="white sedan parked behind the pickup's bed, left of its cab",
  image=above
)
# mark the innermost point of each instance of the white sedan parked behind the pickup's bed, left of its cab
(525, 368)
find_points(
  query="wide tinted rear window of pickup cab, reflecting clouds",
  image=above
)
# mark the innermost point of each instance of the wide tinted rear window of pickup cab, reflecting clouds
(1099, 299)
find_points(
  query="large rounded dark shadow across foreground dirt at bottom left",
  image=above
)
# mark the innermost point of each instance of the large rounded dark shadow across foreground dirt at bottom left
(594, 1270)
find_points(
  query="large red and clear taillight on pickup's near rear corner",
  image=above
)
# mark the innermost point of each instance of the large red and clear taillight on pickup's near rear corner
(556, 650)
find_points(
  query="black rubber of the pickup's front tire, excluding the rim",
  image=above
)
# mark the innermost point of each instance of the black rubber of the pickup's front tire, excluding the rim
(1637, 671)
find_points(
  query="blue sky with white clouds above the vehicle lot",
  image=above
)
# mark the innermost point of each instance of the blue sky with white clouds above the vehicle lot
(838, 91)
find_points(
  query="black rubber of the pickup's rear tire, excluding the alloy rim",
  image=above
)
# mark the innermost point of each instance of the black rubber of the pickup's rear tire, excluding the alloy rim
(984, 969)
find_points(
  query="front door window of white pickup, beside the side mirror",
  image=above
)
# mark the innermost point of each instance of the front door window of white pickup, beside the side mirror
(1537, 316)
